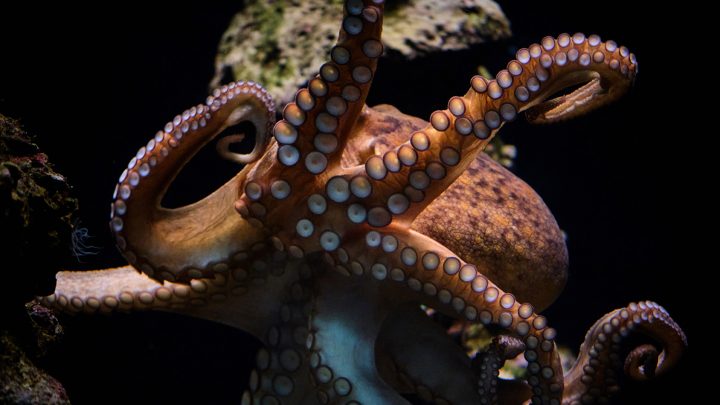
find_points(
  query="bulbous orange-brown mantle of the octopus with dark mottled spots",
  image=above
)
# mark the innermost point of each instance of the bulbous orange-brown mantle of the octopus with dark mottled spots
(488, 216)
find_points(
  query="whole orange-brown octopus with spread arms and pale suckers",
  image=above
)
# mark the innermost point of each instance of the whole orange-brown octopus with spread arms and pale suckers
(346, 222)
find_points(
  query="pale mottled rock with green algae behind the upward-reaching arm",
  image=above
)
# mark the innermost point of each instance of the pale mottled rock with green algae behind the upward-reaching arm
(281, 43)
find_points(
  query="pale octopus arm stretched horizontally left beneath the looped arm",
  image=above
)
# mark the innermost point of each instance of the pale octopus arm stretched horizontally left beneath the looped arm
(232, 298)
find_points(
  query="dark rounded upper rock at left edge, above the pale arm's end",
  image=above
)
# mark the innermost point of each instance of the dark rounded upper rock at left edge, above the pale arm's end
(36, 214)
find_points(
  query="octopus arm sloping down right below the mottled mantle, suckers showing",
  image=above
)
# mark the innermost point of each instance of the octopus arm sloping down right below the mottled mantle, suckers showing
(411, 263)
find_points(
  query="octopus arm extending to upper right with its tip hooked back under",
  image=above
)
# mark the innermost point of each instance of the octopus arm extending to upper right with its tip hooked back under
(408, 178)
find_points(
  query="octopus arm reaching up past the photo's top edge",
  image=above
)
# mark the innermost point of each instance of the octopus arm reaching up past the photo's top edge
(314, 128)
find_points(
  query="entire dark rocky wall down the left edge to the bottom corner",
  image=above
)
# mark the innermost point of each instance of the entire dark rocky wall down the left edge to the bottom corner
(36, 217)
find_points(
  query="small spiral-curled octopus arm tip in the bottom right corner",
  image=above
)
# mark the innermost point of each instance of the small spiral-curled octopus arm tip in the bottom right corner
(603, 357)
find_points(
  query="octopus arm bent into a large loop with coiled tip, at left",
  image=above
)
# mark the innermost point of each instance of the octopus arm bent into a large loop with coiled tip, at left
(188, 242)
